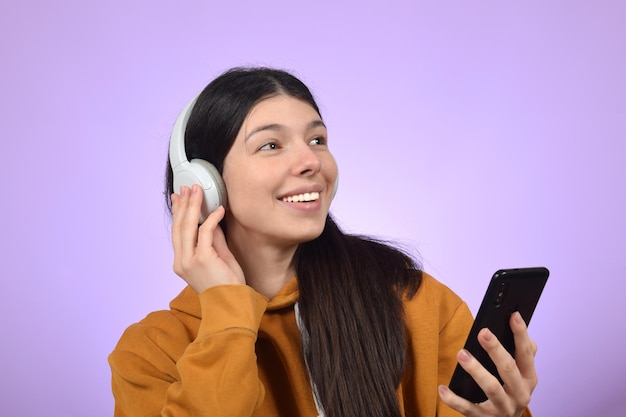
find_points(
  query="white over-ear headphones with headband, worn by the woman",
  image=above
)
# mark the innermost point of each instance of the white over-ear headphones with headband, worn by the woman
(196, 171)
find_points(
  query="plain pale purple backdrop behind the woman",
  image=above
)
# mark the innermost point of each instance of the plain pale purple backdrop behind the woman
(483, 134)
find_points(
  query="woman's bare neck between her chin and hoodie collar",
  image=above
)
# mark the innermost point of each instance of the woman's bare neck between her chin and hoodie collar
(266, 267)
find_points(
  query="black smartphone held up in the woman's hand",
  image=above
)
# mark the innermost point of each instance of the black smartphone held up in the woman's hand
(510, 290)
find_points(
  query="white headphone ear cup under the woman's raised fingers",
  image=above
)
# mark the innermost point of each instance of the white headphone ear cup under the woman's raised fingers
(203, 173)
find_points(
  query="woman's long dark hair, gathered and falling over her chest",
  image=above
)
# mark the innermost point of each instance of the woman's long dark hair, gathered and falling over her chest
(351, 287)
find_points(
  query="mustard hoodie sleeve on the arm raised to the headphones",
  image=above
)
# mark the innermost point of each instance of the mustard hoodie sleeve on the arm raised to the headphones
(158, 370)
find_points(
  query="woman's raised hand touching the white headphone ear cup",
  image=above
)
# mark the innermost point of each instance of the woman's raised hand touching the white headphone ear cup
(201, 255)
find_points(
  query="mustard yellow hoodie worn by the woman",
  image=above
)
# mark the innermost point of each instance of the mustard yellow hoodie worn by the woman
(230, 352)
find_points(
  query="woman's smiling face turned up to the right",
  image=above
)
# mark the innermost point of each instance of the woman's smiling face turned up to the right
(279, 174)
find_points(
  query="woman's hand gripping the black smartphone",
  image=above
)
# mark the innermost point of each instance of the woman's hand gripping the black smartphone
(518, 374)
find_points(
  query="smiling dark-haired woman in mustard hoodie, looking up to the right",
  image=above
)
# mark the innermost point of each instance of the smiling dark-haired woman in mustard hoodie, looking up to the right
(284, 314)
